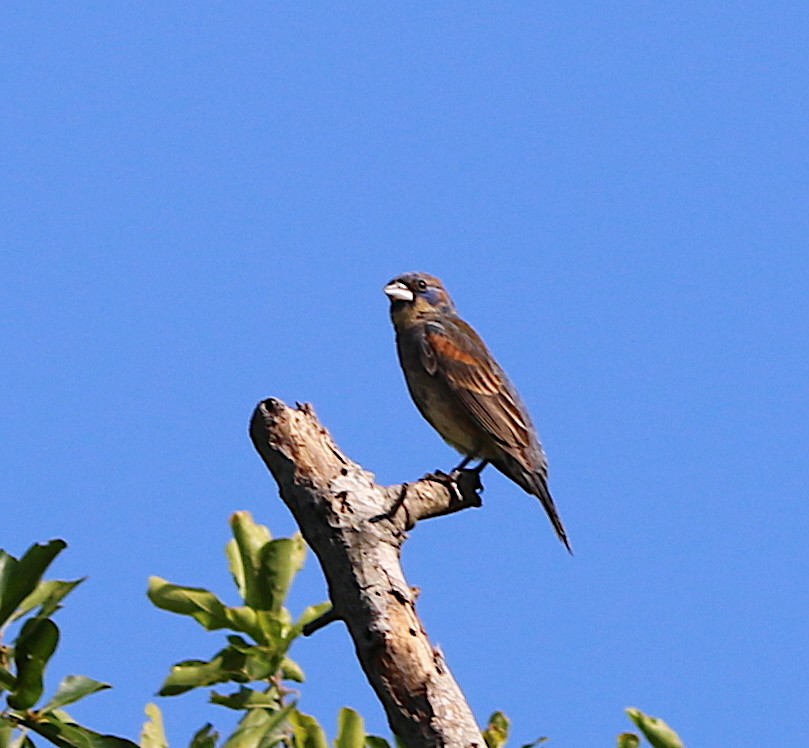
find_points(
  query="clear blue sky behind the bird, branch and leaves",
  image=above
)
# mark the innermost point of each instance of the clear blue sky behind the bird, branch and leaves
(201, 204)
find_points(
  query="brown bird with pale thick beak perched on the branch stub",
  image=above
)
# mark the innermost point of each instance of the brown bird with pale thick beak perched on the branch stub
(461, 390)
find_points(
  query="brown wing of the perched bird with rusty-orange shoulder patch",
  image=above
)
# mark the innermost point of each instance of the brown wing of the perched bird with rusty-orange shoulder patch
(456, 353)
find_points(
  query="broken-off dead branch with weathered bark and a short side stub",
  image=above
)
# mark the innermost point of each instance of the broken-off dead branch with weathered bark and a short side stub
(356, 529)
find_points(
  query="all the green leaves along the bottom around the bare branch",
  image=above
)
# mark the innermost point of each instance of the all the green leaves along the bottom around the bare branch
(254, 660)
